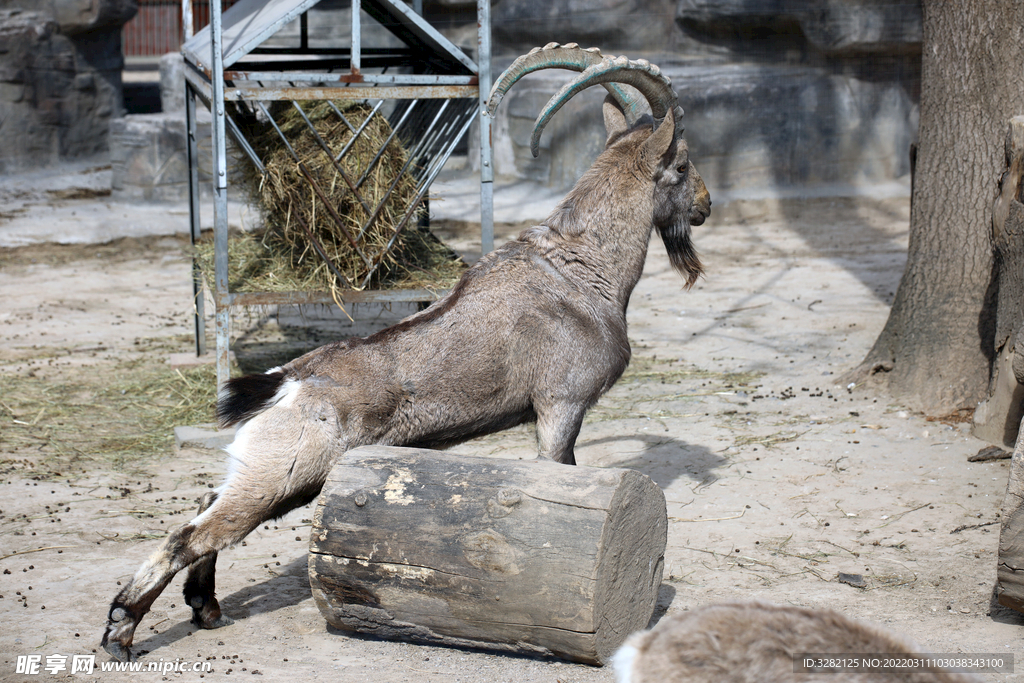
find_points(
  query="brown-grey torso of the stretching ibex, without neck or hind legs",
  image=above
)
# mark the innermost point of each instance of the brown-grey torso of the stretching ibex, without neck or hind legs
(515, 328)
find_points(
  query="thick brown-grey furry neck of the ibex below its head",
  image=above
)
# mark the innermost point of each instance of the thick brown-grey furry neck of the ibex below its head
(601, 232)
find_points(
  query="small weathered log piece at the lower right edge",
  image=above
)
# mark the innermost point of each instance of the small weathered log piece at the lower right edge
(1010, 569)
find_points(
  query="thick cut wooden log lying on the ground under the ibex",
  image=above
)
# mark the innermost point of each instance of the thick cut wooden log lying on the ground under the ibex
(529, 557)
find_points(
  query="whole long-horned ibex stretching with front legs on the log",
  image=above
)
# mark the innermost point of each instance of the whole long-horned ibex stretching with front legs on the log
(535, 332)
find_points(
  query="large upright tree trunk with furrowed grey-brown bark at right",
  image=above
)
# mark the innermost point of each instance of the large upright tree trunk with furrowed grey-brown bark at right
(937, 349)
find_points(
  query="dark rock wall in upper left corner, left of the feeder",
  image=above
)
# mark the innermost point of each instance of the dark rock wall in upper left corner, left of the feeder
(61, 68)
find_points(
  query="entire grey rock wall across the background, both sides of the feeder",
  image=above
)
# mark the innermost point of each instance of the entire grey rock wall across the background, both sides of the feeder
(780, 95)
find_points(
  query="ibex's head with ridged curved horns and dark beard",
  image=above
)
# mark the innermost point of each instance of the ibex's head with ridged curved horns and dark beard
(654, 144)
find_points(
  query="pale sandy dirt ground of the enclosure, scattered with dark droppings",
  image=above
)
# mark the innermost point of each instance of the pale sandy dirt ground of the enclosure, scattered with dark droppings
(778, 478)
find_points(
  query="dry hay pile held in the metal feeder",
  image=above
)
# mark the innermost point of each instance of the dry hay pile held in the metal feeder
(281, 257)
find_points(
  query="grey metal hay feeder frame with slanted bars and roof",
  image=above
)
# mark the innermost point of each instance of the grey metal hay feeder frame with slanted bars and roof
(429, 90)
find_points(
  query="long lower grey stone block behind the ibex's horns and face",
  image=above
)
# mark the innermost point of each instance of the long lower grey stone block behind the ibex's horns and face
(752, 130)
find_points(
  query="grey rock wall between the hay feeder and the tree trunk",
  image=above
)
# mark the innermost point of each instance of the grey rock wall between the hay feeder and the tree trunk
(782, 97)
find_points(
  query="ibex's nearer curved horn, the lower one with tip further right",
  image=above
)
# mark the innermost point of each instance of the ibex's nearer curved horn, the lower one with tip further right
(643, 75)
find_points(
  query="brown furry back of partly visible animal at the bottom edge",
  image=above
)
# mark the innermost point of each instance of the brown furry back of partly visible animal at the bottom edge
(757, 642)
